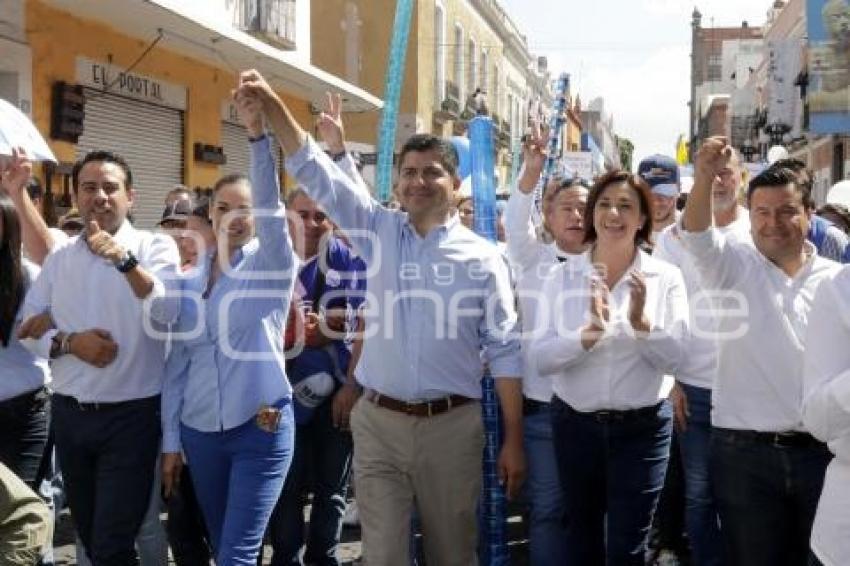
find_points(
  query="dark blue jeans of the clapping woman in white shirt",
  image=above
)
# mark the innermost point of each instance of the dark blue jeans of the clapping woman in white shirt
(612, 468)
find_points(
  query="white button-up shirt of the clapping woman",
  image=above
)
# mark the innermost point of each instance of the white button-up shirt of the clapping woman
(620, 371)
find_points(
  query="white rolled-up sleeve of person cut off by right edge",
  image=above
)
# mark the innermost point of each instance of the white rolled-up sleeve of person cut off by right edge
(826, 392)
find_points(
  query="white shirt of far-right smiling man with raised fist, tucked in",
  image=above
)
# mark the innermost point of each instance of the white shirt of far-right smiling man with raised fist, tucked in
(762, 329)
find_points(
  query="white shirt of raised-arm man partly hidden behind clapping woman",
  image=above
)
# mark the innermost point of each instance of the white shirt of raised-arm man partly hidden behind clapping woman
(532, 262)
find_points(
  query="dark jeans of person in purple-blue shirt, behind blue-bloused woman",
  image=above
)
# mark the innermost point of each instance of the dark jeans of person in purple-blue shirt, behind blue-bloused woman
(321, 465)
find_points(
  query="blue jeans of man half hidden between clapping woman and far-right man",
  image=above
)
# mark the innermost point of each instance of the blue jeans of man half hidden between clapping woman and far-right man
(701, 517)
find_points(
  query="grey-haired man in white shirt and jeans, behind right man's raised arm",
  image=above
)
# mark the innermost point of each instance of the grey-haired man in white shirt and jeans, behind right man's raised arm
(695, 378)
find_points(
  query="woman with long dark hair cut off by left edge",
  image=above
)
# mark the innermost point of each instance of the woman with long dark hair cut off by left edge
(24, 403)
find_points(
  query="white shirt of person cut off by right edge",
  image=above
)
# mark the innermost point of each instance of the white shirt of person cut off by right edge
(826, 412)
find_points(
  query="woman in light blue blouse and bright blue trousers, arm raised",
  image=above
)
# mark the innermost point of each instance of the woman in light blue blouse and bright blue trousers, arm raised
(226, 398)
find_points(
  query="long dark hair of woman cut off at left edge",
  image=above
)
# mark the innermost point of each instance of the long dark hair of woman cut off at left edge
(12, 276)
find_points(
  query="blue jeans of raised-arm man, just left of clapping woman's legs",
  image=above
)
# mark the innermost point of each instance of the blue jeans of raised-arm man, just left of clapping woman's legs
(547, 533)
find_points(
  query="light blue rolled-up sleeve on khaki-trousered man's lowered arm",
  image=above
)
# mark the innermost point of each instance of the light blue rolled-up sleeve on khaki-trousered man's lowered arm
(500, 327)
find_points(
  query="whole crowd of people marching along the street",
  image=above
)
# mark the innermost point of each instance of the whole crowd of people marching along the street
(249, 354)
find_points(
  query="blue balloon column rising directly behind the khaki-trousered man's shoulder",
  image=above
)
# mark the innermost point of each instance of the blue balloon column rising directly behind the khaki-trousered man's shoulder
(493, 546)
